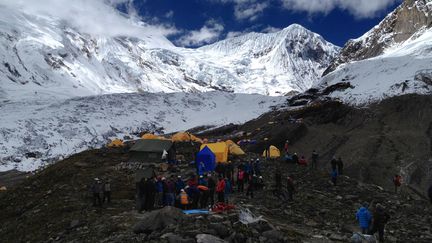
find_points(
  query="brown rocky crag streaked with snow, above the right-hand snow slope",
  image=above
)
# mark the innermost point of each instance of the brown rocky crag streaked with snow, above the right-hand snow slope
(404, 23)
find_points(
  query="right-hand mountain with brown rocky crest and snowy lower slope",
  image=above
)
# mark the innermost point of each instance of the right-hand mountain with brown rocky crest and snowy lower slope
(394, 58)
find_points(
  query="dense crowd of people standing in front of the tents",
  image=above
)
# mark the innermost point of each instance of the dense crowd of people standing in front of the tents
(200, 191)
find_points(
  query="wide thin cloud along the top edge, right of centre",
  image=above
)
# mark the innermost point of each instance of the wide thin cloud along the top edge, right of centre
(358, 8)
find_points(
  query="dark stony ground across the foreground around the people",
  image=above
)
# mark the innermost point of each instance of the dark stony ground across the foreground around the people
(55, 206)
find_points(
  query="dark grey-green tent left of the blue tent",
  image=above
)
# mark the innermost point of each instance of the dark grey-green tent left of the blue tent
(151, 150)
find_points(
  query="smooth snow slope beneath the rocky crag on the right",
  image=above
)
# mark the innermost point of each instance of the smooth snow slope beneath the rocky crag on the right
(402, 69)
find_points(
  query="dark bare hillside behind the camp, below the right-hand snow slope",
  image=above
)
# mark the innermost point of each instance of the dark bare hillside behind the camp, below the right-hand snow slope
(376, 142)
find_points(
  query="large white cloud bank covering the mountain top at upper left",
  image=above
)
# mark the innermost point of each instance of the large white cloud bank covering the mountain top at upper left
(97, 17)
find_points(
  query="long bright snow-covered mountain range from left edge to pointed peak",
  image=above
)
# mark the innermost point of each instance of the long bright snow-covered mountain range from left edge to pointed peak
(45, 56)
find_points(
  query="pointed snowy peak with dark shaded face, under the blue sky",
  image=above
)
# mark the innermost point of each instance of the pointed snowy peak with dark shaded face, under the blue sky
(291, 59)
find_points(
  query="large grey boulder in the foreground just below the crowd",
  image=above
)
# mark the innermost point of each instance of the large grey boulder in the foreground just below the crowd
(159, 219)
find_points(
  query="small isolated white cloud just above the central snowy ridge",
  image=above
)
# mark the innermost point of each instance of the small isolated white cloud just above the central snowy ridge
(209, 33)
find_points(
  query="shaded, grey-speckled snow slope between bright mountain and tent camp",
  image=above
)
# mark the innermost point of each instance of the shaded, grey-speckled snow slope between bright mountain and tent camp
(51, 129)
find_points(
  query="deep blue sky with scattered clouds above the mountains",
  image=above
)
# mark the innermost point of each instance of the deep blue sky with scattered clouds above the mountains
(199, 22)
